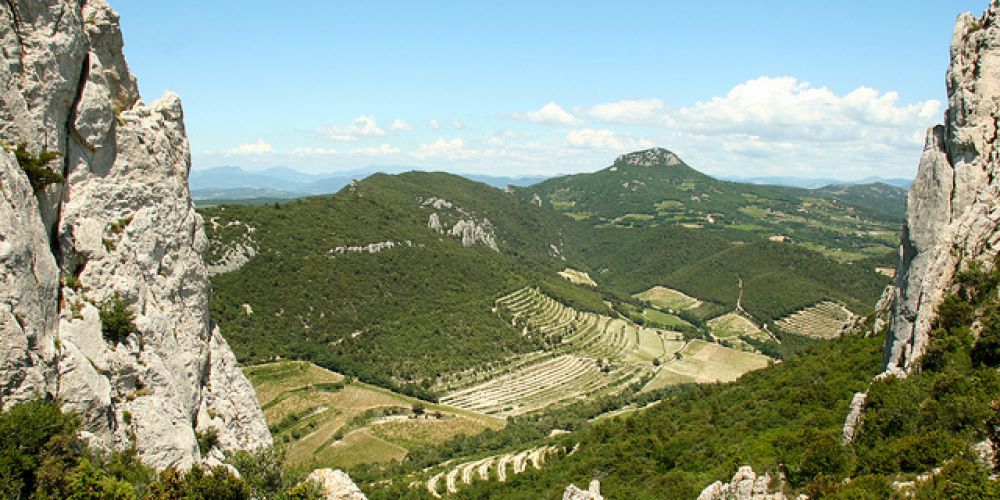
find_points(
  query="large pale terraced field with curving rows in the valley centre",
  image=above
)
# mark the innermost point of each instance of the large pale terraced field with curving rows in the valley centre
(585, 354)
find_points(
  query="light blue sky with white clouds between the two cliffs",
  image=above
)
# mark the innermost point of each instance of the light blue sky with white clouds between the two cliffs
(797, 88)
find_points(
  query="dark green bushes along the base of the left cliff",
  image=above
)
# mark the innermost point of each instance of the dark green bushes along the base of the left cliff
(42, 456)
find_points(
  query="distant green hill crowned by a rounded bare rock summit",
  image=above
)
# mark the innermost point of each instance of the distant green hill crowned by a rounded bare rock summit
(655, 187)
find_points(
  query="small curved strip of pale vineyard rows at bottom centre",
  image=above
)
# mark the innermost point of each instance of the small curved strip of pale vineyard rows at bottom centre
(493, 468)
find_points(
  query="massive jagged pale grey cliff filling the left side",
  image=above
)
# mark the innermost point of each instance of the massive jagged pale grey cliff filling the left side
(119, 228)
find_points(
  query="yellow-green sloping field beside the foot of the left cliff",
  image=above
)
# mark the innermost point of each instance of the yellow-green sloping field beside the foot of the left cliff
(327, 421)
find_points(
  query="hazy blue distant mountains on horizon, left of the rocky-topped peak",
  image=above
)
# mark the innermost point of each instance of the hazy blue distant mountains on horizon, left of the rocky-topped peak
(235, 183)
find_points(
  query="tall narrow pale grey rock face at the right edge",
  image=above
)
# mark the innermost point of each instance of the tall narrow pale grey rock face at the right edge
(953, 213)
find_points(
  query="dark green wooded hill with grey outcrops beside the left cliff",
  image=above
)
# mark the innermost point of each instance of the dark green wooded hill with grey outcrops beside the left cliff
(360, 282)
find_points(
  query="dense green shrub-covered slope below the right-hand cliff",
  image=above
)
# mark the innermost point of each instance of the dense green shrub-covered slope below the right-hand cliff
(787, 419)
